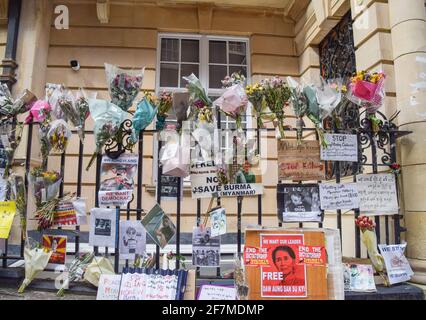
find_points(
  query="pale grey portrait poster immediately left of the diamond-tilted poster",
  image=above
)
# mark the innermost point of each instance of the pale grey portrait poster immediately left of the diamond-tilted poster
(132, 239)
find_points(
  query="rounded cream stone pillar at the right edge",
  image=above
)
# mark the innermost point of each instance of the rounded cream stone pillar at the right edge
(408, 31)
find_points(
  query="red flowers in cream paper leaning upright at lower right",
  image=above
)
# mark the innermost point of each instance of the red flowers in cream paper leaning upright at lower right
(369, 238)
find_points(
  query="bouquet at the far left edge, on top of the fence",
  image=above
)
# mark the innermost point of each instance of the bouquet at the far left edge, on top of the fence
(10, 107)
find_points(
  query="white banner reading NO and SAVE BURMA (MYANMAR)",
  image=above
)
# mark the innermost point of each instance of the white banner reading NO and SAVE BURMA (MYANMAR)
(205, 184)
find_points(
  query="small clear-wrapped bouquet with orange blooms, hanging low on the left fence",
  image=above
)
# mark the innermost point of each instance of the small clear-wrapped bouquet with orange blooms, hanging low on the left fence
(45, 184)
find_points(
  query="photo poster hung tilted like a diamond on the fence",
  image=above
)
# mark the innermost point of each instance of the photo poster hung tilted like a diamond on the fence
(159, 226)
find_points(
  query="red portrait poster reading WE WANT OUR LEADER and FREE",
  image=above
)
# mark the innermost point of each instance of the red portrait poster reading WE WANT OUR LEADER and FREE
(284, 277)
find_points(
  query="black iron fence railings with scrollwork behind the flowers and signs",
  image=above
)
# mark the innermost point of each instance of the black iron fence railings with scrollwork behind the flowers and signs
(377, 149)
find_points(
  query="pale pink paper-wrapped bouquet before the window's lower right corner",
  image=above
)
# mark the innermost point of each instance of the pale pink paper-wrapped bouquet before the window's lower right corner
(233, 101)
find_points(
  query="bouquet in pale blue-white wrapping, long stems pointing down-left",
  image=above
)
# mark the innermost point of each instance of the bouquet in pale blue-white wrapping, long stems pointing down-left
(108, 119)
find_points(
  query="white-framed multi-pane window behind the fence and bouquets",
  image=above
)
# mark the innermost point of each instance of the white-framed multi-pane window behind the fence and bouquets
(211, 58)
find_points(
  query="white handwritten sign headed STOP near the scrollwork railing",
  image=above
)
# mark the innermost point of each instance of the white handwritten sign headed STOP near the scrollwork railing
(341, 147)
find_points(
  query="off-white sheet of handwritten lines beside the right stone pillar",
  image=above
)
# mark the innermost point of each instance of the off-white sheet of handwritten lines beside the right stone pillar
(377, 194)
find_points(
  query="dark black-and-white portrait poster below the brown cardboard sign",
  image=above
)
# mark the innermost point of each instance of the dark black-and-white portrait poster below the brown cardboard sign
(299, 203)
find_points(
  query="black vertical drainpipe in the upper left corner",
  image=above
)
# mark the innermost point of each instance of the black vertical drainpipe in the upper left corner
(9, 62)
